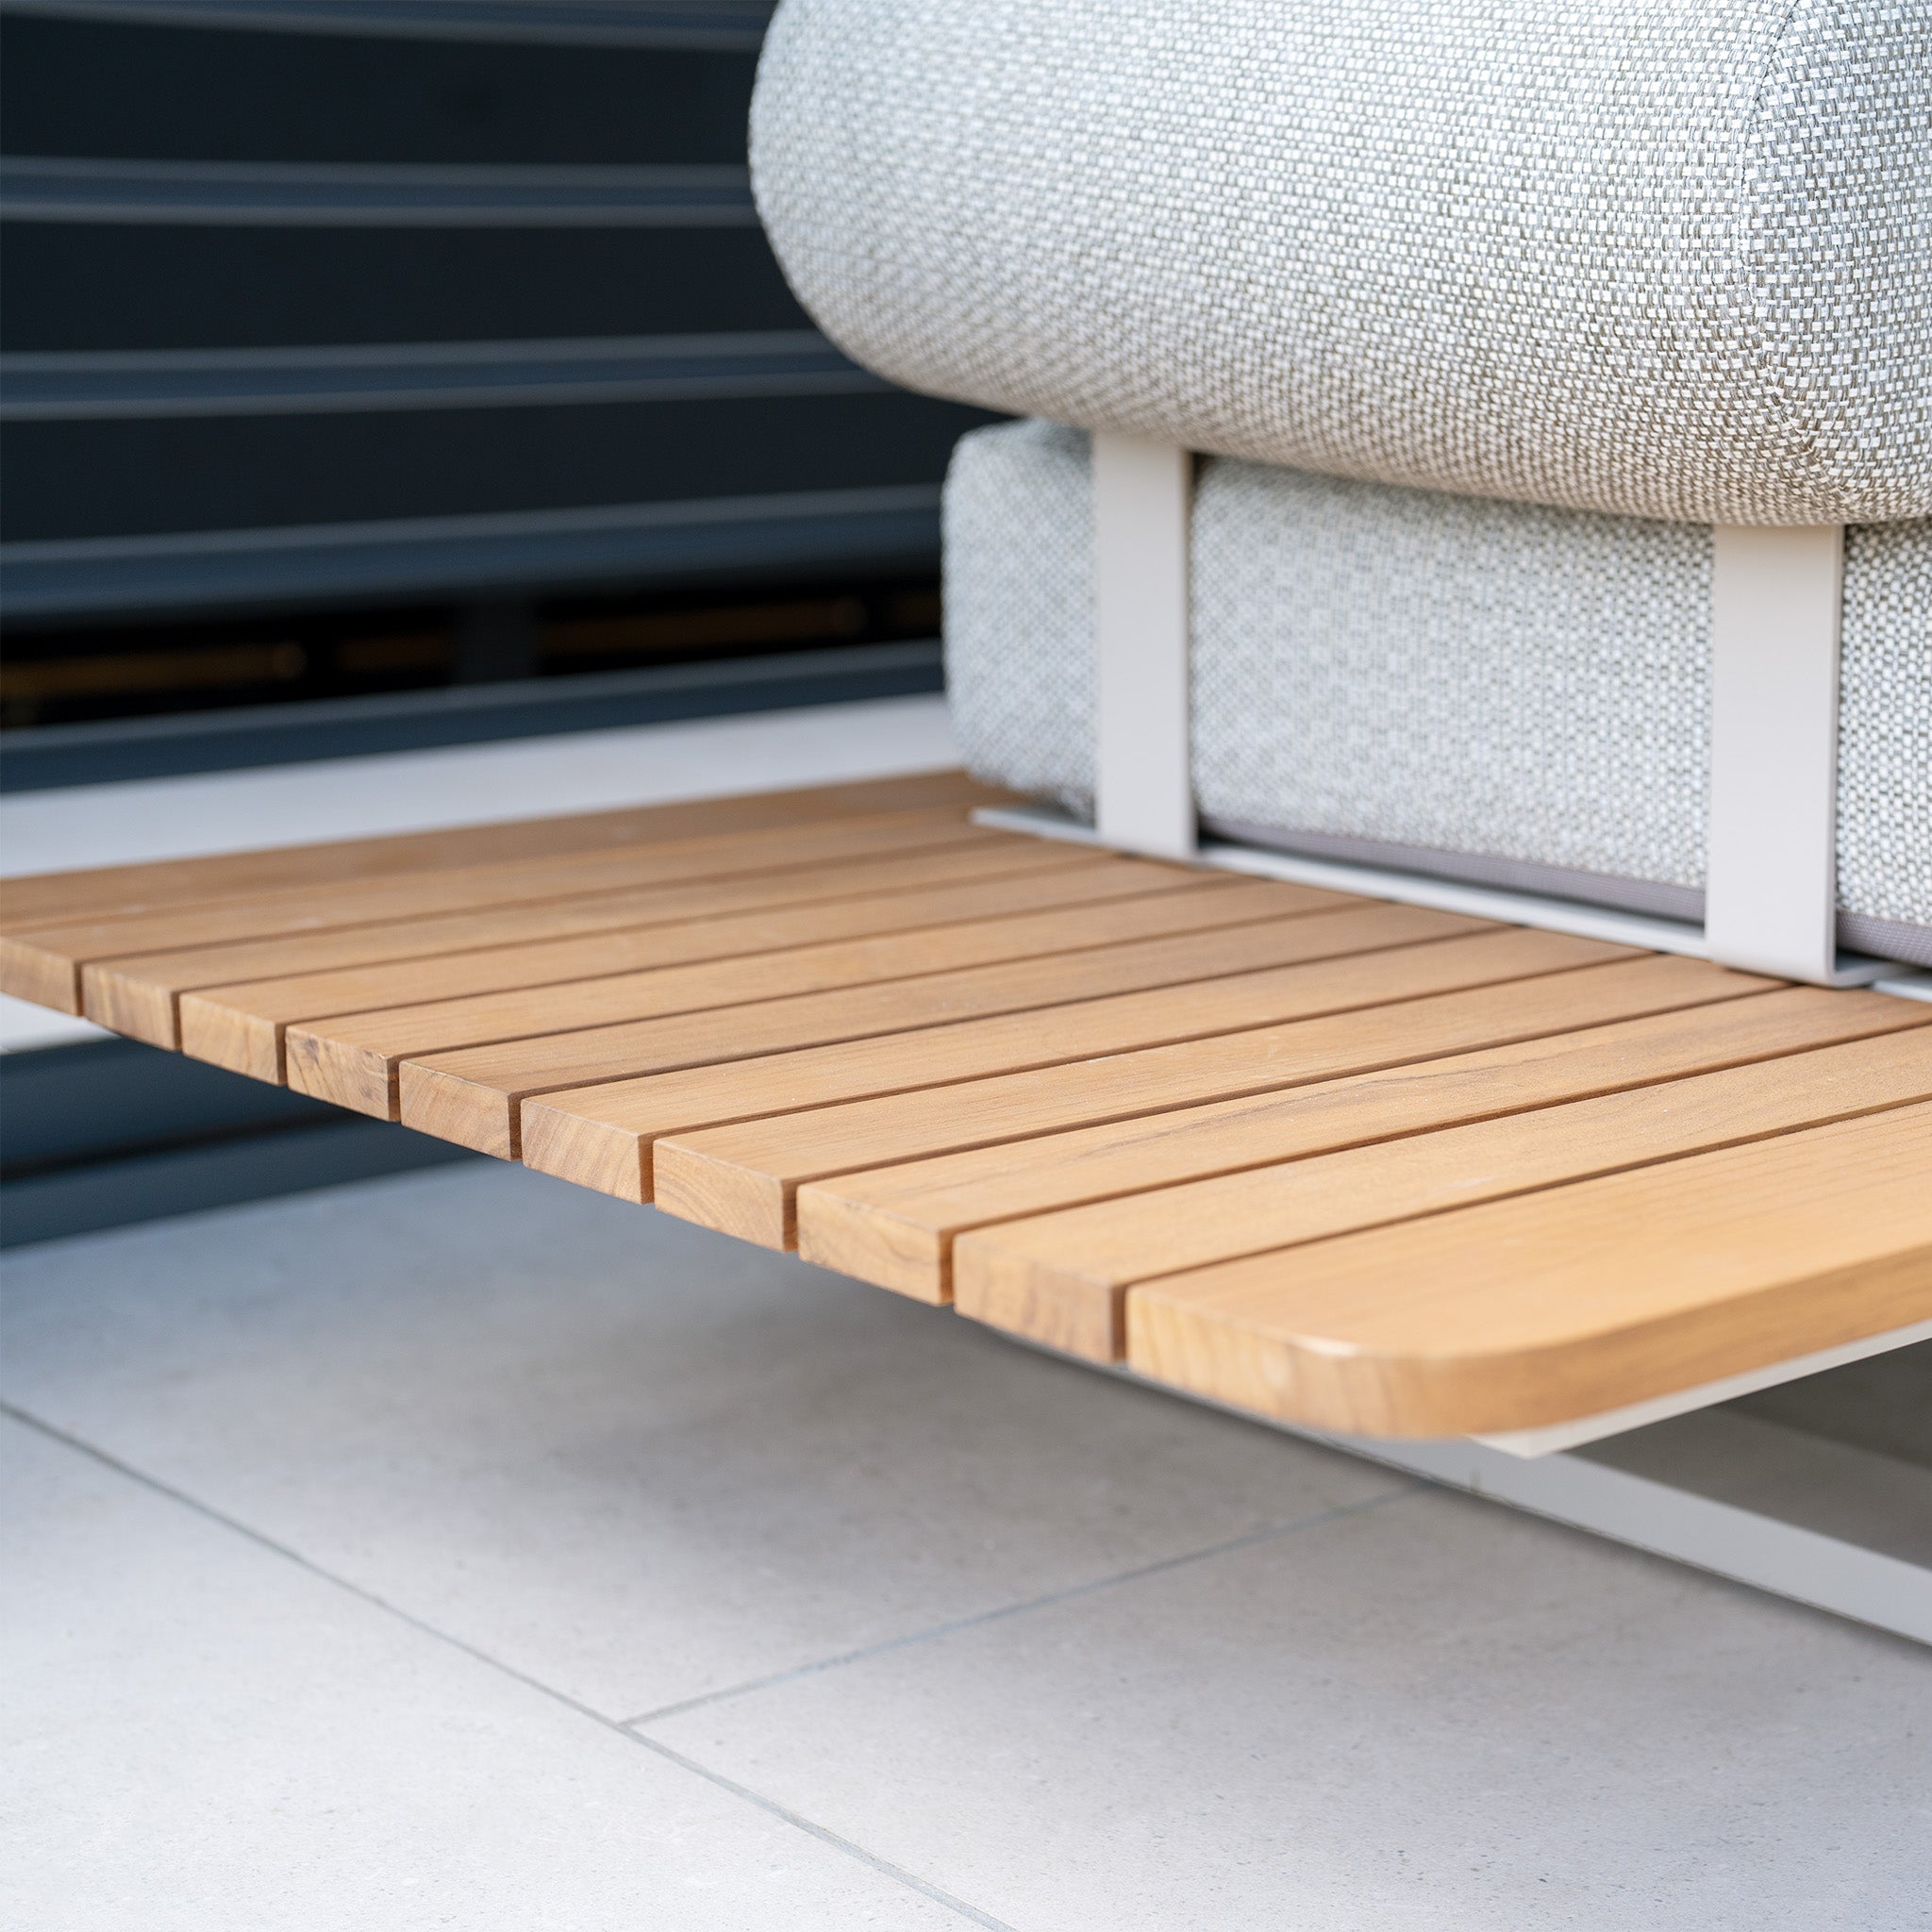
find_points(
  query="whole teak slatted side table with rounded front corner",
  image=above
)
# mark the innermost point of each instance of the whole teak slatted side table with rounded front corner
(1355, 1166)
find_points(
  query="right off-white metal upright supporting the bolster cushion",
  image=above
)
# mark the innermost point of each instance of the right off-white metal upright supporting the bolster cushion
(1771, 884)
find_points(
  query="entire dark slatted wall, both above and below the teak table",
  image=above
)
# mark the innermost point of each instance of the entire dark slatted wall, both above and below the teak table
(329, 304)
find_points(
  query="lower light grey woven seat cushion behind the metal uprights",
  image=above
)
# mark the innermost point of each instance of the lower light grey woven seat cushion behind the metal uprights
(1427, 671)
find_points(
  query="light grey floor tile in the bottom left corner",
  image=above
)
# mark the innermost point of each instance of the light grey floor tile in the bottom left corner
(204, 1732)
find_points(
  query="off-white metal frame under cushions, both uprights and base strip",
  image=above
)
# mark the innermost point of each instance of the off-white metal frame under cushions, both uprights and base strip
(1773, 828)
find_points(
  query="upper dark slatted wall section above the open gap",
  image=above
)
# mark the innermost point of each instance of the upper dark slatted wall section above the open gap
(326, 300)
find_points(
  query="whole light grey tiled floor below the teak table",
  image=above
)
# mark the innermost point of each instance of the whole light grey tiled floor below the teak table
(469, 1550)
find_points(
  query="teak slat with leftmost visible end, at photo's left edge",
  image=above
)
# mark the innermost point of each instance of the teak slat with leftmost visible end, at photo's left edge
(45, 963)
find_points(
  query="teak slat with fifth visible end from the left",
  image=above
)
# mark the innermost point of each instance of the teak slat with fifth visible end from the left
(472, 1098)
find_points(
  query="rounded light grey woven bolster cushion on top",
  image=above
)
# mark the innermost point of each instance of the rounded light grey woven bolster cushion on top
(1620, 256)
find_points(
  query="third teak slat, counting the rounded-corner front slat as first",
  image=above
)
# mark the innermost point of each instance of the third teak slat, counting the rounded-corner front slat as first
(1313, 1085)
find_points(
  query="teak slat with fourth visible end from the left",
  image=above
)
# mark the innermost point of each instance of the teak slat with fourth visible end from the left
(355, 1060)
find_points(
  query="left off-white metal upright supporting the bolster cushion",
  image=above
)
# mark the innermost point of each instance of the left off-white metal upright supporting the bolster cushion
(1143, 768)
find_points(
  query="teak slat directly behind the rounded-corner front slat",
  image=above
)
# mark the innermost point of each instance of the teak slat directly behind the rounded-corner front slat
(1067, 1274)
